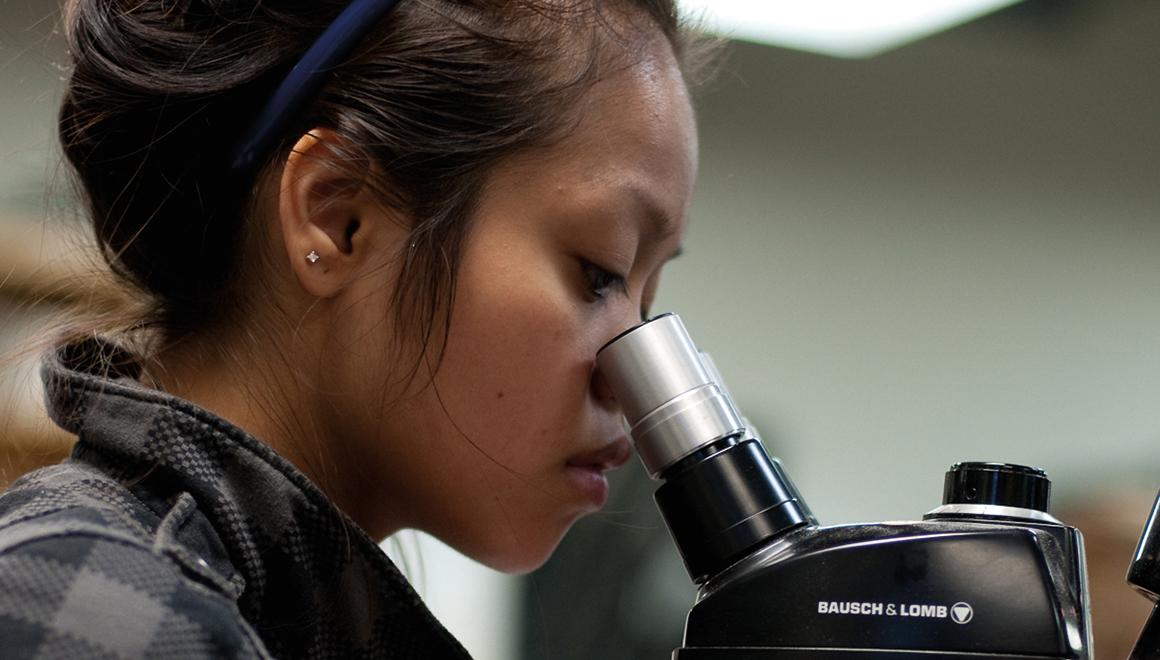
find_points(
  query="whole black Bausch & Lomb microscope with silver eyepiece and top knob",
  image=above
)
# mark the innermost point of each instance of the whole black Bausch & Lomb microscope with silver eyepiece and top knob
(989, 575)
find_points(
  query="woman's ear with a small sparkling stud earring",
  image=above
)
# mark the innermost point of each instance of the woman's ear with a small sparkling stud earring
(332, 226)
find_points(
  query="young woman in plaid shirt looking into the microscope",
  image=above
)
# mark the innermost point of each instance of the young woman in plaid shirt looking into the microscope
(376, 250)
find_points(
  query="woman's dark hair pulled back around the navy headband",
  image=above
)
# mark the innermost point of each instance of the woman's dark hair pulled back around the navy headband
(162, 91)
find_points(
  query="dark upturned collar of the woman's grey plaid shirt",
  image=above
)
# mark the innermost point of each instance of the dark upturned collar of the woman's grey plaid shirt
(294, 549)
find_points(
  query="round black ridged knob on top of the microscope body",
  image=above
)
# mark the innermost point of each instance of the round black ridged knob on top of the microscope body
(997, 485)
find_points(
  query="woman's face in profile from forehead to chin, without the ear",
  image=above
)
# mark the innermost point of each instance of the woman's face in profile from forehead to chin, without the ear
(506, 447)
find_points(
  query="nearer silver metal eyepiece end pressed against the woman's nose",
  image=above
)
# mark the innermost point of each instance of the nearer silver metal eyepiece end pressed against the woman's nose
(675, 404)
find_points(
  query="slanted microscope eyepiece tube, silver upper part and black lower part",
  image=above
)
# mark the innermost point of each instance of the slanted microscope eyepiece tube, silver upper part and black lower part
(722, 495)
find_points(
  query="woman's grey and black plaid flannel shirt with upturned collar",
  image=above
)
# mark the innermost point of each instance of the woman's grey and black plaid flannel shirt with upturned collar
(172, 534)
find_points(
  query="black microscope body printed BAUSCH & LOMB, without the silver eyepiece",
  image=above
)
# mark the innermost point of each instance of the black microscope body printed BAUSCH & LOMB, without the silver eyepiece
(955, 585)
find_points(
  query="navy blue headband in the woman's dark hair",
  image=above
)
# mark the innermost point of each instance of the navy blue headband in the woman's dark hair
(306, 79)
